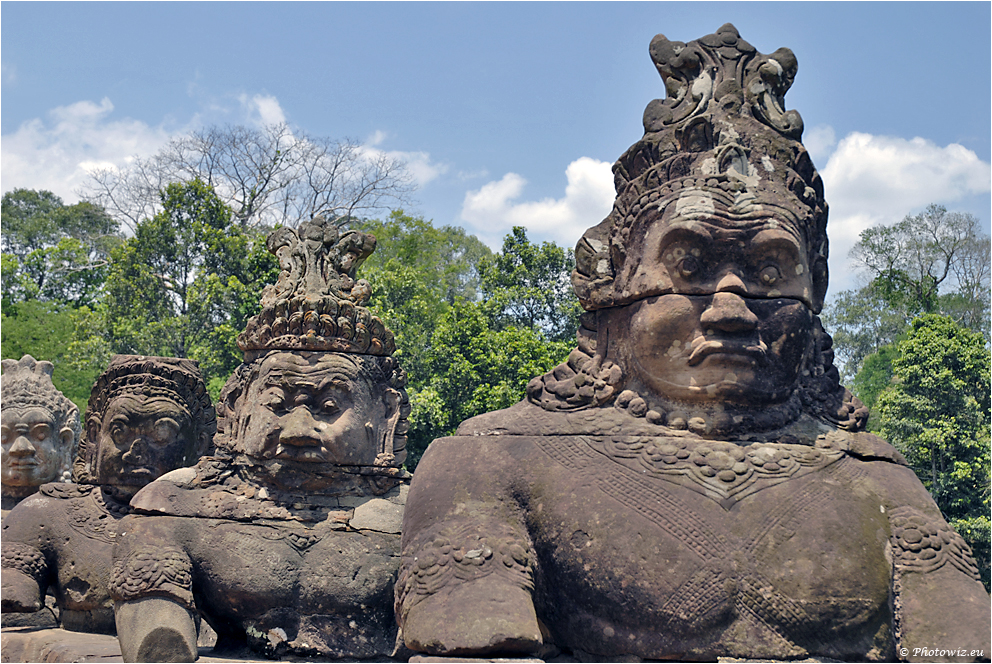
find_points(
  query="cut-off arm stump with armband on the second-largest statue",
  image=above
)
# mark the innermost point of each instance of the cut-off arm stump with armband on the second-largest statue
(152, 588)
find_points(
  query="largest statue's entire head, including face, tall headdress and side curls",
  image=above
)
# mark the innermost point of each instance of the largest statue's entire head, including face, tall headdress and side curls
(705, 281)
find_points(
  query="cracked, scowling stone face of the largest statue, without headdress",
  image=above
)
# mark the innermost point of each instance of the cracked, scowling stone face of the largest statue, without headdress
(738, 322)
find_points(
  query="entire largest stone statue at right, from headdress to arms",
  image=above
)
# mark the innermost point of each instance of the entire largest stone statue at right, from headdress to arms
(693, 482)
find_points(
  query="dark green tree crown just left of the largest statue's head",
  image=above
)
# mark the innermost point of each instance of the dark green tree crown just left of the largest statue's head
(529, 286)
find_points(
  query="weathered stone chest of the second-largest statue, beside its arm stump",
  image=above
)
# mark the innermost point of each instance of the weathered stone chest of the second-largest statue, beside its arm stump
(250, 568)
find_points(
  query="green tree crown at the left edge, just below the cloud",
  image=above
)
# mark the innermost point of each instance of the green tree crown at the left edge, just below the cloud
(54, 252)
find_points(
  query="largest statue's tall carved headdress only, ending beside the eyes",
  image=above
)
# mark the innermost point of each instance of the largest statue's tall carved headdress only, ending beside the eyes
(722, 140)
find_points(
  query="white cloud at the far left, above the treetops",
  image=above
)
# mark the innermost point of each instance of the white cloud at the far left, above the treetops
(57, 153)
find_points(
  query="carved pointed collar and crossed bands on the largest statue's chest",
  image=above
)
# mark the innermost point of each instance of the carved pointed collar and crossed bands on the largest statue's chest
(637, 478)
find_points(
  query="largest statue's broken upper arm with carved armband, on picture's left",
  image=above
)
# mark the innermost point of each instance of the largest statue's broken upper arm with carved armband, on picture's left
(466, 581)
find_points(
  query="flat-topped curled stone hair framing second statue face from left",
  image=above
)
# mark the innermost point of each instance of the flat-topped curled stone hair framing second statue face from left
(173, 378)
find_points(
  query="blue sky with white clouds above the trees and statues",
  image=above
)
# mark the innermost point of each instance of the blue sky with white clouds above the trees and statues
(507, 113)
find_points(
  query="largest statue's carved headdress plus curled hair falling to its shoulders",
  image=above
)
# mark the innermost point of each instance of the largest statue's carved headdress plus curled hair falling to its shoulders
(721, 142)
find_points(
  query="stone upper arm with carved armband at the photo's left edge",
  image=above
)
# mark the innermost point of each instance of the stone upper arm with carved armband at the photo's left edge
(25, 567)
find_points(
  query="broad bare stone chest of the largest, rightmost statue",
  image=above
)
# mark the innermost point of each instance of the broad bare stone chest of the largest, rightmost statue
(656, 536)
